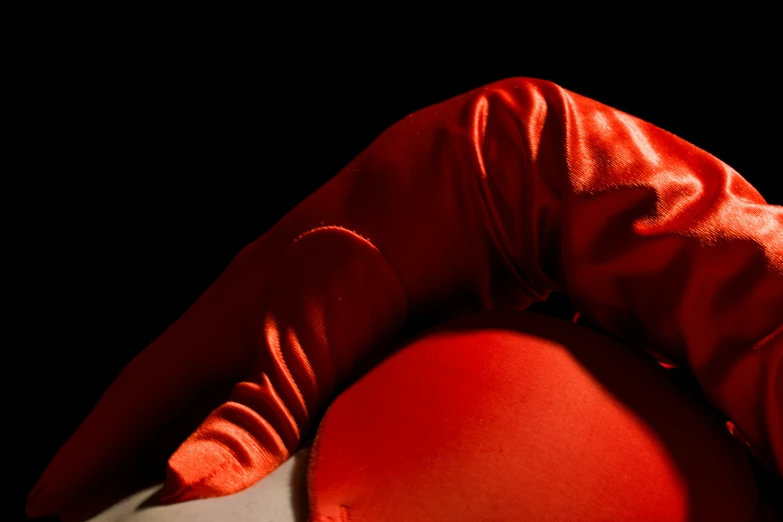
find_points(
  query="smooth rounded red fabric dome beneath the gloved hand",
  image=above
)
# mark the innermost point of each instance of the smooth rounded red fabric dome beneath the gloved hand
(517, 416)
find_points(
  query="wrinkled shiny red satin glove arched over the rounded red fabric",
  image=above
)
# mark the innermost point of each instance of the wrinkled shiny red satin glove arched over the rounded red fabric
(492, 199)
